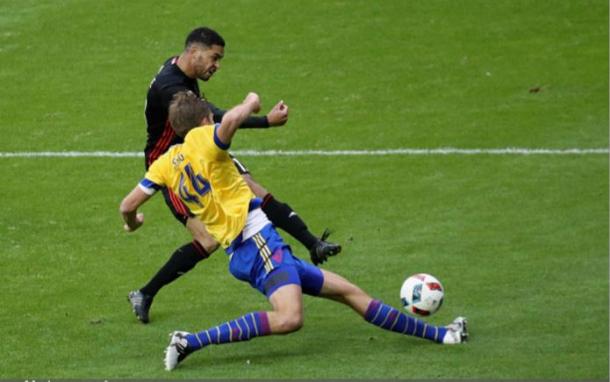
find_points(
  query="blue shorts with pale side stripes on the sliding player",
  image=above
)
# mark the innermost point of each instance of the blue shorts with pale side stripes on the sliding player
(267, 263)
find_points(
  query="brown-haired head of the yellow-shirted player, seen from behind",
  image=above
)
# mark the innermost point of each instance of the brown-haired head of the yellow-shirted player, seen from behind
(186, 111)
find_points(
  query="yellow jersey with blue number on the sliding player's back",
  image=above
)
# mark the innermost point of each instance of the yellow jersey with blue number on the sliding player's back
(202, 173)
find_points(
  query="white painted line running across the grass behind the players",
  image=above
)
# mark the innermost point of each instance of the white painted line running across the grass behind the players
(299, 153)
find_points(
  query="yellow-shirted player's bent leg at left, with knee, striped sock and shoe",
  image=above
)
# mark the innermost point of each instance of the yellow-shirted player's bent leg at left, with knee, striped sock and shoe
(286, 317)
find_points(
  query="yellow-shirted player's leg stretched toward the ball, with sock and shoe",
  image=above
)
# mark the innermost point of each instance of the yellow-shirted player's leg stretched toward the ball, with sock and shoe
(386, 317)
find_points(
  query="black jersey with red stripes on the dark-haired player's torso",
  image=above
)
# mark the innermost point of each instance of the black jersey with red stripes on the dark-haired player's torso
(168, 81)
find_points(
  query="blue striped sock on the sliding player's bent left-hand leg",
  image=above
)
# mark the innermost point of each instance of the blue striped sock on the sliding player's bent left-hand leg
(251, 325)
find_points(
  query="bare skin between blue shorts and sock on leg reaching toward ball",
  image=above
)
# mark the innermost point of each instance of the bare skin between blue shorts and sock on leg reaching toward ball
(338, 288)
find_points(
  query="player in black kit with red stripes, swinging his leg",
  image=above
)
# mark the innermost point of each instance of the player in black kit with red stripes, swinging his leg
(204, 48)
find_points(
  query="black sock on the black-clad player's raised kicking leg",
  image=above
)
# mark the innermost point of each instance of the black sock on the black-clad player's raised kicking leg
(282, 216)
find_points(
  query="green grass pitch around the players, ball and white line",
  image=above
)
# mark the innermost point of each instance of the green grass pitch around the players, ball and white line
(519, 241)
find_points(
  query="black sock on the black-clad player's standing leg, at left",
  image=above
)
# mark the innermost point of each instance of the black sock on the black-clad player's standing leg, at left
(182, 261)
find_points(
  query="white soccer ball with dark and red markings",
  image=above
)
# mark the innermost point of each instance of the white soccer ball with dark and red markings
(422, 294)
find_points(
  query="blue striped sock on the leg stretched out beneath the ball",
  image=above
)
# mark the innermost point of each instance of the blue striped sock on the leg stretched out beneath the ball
(389, 318)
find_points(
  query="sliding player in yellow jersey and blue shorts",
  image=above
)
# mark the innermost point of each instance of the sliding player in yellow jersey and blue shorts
(202, 173)
